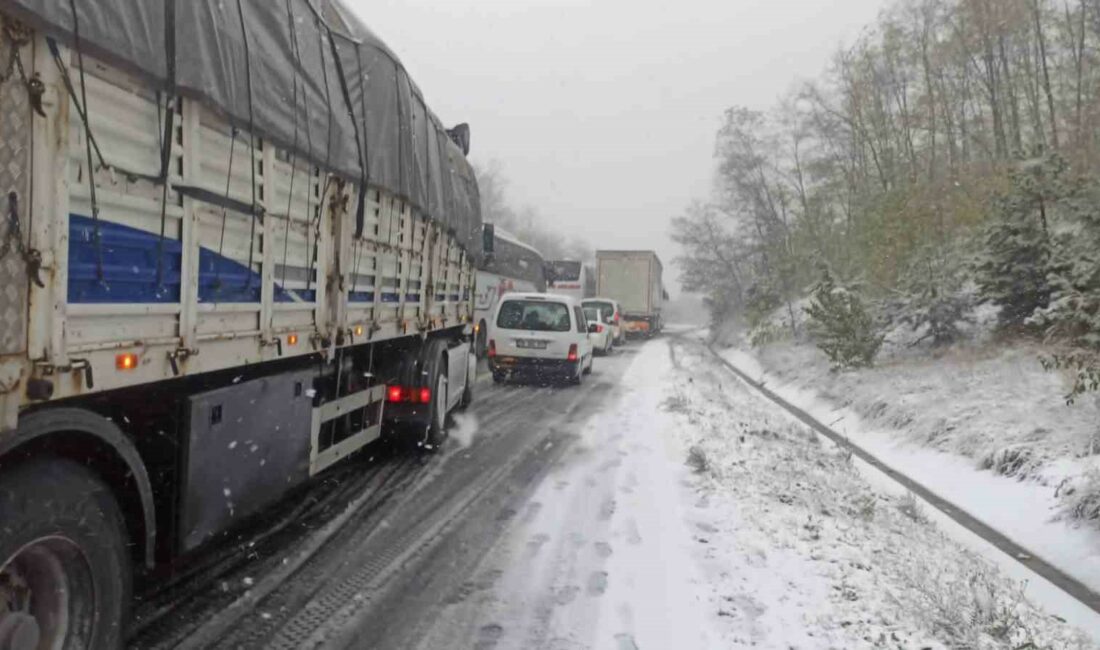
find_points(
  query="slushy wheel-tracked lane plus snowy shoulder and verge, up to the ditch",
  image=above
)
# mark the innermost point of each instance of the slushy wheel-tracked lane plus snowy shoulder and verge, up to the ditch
(662, 505)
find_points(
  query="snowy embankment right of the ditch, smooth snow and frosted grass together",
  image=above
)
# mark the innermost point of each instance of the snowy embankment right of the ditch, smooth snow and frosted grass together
(986, 431)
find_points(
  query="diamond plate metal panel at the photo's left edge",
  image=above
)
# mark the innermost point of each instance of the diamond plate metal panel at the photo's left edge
(15, 177)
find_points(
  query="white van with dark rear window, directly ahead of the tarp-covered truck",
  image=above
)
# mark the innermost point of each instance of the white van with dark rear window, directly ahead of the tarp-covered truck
(540, 335)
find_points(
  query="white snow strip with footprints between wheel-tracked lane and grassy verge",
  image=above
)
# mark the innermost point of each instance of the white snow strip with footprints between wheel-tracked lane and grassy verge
(607, 553)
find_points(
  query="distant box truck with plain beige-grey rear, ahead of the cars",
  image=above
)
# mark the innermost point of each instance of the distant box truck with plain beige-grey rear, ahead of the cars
(634, 280)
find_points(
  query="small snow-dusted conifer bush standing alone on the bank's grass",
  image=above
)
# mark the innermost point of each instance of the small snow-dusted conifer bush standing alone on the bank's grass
(842, 326)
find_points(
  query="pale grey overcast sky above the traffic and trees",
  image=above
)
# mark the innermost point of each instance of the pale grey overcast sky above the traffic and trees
(603, 113)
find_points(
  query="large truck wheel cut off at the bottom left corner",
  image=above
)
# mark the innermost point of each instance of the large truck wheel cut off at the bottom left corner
(64, 568)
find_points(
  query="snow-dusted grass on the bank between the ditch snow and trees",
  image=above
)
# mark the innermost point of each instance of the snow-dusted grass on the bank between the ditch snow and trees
(987, 400)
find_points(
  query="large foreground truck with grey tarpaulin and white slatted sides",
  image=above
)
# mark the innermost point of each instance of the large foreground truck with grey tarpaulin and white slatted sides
(228, 260)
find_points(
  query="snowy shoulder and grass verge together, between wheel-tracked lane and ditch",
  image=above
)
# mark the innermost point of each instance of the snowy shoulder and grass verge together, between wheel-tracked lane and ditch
(691, 513)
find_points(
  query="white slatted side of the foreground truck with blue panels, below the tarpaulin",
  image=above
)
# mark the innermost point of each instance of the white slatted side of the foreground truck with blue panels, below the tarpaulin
(311, 285)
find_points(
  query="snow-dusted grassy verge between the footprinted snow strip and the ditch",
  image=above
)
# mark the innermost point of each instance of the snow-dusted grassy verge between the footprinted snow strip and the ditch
(815, 557)
